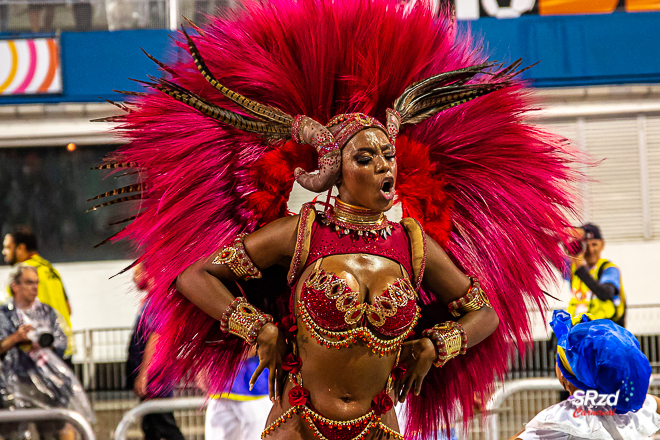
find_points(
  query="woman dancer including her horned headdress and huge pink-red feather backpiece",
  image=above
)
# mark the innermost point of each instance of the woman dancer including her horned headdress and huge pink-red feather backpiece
(349, 310)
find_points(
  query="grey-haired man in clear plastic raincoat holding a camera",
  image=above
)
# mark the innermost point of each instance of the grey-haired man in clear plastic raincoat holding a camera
(25, 326)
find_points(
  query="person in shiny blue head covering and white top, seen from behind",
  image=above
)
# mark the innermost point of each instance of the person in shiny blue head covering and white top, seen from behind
(601, 365)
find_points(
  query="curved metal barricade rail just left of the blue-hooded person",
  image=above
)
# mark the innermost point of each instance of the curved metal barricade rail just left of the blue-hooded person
(509, 388)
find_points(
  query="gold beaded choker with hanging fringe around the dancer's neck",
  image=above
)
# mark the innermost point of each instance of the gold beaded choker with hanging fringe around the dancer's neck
(359, 223)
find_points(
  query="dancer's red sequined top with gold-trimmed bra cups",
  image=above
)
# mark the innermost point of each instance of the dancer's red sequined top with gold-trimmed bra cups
(332, 311)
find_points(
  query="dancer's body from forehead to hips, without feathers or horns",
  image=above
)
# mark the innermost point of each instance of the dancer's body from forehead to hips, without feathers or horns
(351, 293)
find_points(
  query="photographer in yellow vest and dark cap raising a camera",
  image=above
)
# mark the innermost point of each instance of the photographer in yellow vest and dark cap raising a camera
(595, 282)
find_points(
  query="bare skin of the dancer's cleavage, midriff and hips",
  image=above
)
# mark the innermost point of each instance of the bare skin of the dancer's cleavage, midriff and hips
(342, 382)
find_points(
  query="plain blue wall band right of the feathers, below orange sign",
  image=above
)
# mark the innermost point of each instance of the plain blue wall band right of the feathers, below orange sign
(580, 50)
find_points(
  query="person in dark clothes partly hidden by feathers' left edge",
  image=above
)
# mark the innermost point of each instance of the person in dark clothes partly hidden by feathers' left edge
(143, 343)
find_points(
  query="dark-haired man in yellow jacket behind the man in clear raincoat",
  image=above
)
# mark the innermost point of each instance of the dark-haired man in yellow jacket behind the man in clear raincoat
(20, 246)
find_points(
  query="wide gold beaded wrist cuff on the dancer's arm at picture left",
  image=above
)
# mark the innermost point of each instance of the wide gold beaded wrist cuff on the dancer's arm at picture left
(244, 320)
